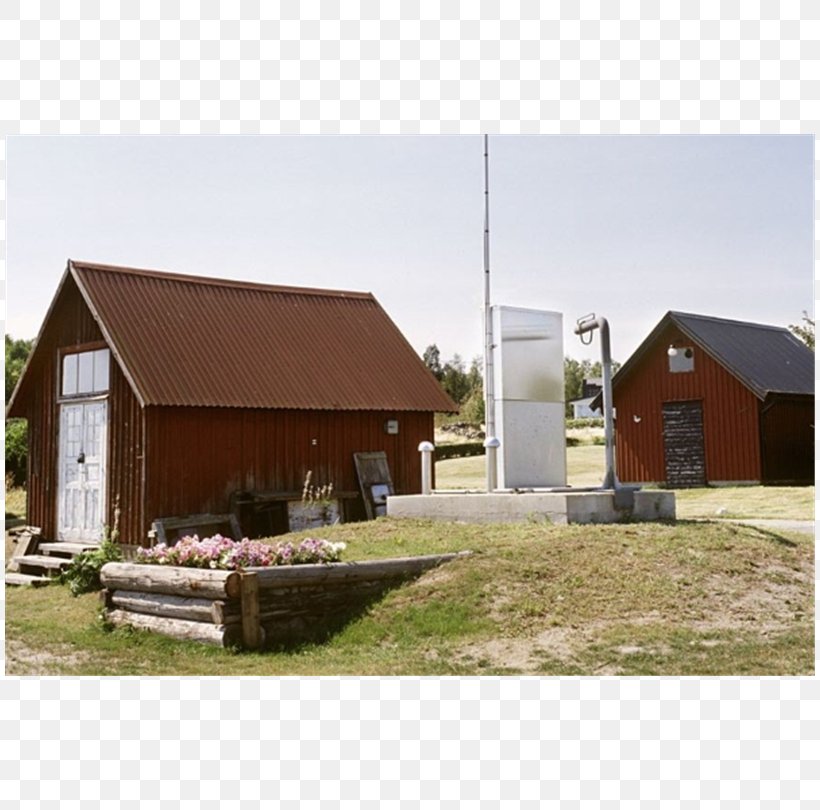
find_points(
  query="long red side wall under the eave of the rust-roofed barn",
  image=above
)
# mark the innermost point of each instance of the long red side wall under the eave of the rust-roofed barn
(198, 457)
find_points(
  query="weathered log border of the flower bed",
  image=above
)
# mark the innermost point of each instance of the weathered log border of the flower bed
(251, 608)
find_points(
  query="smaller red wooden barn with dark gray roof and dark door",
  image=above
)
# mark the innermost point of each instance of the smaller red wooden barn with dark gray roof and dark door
(707, 400)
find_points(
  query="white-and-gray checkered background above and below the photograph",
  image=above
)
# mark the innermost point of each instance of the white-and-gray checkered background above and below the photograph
(84, 66)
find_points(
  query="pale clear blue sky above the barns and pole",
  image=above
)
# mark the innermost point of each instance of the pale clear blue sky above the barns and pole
(625, 226)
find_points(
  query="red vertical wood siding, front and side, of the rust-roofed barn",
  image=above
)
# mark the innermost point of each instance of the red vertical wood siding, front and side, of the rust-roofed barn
(182, 460)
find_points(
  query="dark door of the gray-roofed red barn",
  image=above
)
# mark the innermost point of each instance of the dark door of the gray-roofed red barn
(683, 451)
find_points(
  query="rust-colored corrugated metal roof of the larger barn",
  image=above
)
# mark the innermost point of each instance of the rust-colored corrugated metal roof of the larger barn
(187, 340)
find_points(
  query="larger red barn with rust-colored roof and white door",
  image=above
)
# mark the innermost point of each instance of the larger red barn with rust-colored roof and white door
(167, 395)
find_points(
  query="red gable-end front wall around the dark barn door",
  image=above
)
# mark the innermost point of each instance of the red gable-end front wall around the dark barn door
(730, 416)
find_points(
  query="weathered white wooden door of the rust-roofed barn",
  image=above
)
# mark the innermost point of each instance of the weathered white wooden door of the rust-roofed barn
(81, 497)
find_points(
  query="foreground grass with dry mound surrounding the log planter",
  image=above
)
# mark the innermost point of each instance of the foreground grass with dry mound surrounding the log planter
(628, 599)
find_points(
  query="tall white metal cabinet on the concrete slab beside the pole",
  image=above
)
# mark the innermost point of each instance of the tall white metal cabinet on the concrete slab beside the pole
(528, 375)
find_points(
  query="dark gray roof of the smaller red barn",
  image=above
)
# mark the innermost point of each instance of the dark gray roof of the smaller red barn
(766, 359)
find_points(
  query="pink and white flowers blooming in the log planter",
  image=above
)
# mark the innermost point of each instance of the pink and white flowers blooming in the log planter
(223, 553)
